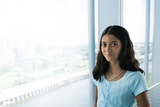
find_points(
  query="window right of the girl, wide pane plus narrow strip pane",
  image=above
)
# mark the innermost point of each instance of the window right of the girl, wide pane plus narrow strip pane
(134, 19)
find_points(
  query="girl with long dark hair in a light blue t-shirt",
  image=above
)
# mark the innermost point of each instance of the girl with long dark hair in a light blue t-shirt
(117, 77)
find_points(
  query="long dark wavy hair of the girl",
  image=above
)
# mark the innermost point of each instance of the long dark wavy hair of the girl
(126, 57)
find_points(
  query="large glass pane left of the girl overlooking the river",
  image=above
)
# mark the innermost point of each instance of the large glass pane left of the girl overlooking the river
(44, 53)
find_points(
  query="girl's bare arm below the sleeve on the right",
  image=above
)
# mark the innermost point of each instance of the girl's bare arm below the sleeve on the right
(143, 100)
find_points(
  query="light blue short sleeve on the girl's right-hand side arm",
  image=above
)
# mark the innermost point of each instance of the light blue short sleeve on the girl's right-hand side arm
(139, 84)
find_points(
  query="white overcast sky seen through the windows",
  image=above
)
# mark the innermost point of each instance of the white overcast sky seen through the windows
(62, 21)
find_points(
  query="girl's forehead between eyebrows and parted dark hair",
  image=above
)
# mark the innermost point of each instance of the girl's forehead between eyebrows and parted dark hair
(109, 38)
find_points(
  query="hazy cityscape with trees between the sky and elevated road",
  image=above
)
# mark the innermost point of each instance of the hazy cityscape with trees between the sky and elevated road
(23, 60)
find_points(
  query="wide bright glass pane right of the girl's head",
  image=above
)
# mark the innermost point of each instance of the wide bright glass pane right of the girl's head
(134, 22)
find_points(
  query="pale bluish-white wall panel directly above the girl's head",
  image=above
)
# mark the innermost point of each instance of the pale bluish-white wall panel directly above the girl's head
(108, 14)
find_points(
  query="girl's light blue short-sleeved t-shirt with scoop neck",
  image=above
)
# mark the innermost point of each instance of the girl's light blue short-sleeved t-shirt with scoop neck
(120, 93)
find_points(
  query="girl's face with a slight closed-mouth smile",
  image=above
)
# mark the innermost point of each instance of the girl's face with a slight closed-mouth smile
(110, 47)
